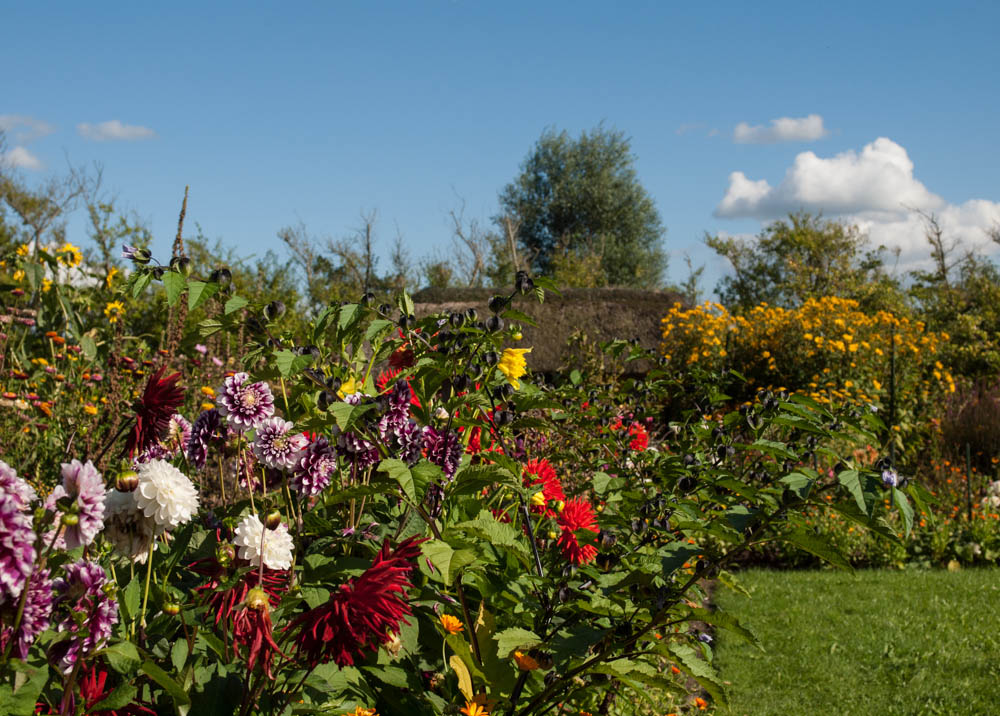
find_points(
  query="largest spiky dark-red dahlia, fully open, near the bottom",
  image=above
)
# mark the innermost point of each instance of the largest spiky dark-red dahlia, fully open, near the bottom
(362, 613)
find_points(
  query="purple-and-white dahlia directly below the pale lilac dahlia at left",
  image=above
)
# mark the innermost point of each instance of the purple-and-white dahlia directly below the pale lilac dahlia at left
(81, 592)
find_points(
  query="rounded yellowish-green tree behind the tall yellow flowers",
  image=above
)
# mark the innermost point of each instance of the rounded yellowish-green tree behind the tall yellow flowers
(805, 256)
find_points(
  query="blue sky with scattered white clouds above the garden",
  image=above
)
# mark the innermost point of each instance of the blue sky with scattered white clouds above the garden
(315, 111)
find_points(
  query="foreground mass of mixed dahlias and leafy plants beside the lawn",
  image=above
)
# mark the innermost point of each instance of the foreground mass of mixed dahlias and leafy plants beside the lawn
(384, 513)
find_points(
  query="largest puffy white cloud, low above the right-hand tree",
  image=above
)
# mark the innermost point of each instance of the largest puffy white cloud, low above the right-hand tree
(874, 188)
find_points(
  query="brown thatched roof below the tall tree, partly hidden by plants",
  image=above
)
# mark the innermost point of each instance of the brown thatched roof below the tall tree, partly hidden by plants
(602, 313)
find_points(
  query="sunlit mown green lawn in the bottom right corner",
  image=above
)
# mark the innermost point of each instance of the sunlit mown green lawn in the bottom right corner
(872, 642)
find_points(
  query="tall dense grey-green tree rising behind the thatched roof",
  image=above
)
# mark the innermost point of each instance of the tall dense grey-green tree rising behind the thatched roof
(577, 197)
